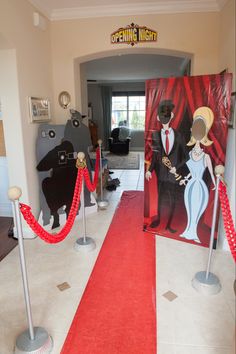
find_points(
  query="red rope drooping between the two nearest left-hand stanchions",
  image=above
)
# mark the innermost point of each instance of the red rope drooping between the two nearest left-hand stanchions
(57, 237)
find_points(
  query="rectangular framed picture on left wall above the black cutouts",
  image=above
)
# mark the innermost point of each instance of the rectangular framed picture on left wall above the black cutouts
(39, 109)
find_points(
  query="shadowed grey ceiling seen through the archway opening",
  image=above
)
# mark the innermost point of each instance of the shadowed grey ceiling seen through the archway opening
(134, 67)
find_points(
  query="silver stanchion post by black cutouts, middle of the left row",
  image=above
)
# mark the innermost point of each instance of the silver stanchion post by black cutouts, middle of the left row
(84, 243)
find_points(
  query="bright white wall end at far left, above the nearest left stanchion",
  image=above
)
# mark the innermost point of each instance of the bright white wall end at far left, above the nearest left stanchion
(11, 116)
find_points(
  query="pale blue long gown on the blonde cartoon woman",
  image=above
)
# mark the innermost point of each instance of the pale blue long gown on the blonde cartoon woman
(196, 197)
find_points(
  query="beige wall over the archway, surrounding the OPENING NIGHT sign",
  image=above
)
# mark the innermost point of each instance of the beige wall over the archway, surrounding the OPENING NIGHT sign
(87, 39)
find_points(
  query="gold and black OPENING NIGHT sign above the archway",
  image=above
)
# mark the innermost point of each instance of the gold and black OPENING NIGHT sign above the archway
(133, 34)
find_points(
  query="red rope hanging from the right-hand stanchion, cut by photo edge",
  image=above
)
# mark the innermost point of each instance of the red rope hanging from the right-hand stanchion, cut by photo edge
(228, 219)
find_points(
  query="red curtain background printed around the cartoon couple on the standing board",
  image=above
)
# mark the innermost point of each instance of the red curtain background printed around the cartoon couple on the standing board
(187, 94)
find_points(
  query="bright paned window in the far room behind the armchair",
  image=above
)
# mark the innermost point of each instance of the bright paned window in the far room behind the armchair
(128, 109)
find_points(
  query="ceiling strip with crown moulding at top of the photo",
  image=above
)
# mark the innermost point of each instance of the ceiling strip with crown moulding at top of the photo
(71, 9)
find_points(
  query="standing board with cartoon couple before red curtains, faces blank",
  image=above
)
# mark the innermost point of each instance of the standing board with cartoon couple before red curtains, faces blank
(185, 138)
